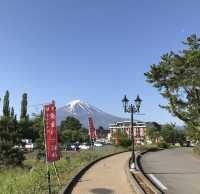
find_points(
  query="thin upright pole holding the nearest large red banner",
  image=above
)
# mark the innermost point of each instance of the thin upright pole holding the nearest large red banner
(47, 165)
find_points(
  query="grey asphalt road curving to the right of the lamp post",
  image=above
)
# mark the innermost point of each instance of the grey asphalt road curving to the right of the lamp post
(177, 169)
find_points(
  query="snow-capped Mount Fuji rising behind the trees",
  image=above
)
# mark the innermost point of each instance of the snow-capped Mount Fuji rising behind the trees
(82, 110)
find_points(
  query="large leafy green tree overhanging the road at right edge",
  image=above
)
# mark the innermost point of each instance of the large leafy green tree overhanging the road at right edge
(177, 79)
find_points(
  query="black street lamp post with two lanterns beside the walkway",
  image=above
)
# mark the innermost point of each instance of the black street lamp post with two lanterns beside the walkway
(132, 109)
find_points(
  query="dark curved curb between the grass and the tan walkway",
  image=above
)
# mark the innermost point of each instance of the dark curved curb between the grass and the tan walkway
(72, 183)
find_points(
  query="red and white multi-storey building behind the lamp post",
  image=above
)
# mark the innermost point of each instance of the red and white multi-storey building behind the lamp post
(125, 127)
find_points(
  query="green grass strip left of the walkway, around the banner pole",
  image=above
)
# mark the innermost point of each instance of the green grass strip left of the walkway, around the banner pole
(32, 178)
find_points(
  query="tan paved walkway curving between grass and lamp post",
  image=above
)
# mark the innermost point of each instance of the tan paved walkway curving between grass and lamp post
(106, 177)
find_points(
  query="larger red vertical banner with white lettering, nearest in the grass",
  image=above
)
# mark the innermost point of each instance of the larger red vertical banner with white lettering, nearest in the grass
(51, 136)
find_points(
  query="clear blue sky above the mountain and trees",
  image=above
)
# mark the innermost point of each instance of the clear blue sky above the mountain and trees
(93, 50)
